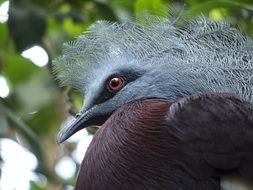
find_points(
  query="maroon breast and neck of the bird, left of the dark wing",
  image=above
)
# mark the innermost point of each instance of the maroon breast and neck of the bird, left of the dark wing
(133, 150)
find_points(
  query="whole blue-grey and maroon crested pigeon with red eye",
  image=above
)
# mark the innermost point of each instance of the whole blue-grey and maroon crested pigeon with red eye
(172, 99)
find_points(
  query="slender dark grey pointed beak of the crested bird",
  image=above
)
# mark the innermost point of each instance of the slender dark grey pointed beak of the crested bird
(82, 120)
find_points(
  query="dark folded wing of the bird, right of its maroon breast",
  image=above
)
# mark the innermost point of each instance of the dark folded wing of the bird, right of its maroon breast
(217, 134)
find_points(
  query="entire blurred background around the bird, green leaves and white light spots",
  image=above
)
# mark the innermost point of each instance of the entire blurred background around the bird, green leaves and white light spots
(32, 105)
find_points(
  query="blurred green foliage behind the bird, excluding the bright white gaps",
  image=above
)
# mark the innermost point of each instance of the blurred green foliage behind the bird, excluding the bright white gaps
(36, 105)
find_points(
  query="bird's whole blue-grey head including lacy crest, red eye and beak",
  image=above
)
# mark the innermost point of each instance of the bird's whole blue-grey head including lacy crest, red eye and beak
(115, 63)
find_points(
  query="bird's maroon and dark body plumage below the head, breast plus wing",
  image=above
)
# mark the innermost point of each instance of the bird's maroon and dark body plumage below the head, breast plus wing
(153, 144)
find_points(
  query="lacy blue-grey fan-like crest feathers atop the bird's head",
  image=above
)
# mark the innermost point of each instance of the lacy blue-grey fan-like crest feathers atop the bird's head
(219, 53)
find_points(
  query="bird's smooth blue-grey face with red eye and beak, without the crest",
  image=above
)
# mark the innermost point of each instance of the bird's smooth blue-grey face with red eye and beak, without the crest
(106, 89)
